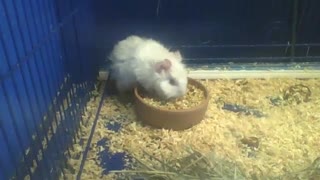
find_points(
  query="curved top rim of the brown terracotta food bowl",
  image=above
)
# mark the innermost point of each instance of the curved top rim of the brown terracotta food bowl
(203, 103)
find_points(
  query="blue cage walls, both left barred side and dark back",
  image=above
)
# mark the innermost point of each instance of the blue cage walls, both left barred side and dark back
(47, 66)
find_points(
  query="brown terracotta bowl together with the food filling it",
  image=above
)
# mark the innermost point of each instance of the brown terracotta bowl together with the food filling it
(179, 117)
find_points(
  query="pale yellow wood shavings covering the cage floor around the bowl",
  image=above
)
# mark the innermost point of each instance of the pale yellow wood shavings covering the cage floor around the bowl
(288, 136)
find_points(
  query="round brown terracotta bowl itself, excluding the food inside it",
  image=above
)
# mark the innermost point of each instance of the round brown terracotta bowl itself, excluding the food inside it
(171, 119)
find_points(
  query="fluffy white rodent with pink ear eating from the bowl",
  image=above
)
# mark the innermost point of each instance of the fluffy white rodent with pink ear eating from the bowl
(149, 63)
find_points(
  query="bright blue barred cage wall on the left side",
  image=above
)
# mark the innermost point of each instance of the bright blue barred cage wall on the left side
(45, 79)
